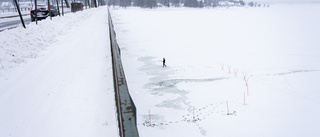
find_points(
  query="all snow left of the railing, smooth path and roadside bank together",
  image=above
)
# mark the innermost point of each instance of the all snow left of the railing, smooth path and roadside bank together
(55, 78)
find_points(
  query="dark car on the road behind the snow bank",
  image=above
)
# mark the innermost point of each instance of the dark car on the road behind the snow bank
(42, 12)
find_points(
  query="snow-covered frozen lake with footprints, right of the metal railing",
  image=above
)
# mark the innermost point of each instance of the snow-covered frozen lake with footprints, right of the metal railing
(276, 49)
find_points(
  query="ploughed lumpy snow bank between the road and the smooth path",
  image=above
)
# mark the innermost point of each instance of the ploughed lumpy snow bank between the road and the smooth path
(18, 45)
